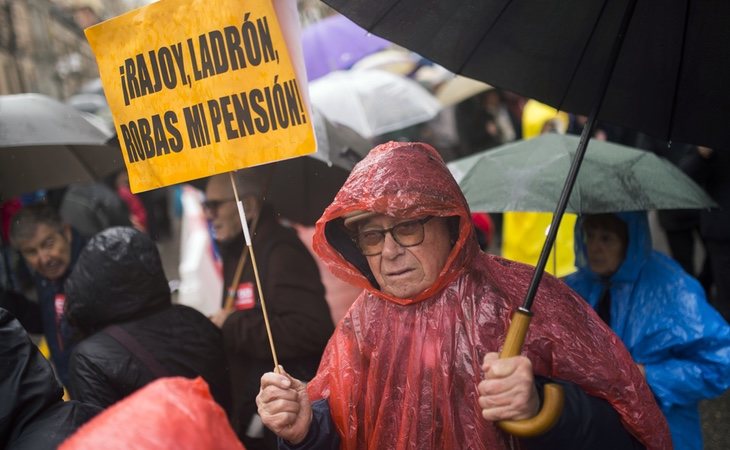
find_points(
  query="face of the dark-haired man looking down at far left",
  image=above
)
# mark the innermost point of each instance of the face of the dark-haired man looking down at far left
(48, 251)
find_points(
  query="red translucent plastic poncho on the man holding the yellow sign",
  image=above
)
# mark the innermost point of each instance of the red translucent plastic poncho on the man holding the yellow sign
(402, 373)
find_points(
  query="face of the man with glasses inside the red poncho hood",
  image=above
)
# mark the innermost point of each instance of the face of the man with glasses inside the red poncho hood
(406, 271)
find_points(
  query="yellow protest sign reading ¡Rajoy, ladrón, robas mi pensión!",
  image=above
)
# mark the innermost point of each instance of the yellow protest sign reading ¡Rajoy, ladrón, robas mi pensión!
(200, 87)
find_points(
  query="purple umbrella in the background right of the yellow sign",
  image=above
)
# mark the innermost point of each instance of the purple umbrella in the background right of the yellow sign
(336, 43)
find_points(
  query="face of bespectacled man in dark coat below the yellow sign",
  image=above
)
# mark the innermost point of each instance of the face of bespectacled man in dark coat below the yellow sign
(221, 209)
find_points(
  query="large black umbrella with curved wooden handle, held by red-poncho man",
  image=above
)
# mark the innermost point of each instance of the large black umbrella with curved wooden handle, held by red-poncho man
(661, 68)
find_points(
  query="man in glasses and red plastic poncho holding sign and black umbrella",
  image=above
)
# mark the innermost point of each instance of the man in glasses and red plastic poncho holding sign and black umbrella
(413, 364)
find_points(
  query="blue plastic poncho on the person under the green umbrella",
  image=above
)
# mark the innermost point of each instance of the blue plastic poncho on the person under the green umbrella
(660, 313)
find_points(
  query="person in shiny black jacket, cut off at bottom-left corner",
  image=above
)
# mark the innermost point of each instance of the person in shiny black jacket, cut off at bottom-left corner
(33, 414)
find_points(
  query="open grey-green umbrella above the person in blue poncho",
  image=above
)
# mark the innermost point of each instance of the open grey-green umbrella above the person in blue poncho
(529, 175)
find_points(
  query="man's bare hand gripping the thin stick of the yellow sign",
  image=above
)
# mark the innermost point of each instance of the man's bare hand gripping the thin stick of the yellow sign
(284, 406)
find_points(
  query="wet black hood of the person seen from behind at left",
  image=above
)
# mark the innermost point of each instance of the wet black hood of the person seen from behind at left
(118, 277)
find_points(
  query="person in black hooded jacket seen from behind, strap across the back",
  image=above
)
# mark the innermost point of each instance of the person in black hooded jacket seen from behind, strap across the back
(119, 300)
